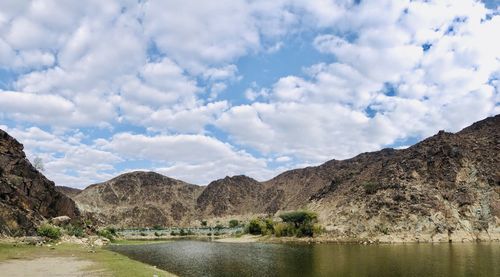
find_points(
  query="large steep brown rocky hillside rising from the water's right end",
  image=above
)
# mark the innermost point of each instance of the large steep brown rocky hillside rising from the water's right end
(446, 187)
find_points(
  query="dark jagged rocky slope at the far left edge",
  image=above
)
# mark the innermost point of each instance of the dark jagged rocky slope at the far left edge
(26, 196)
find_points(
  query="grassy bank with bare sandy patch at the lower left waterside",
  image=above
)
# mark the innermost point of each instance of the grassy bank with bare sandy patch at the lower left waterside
(69, 259)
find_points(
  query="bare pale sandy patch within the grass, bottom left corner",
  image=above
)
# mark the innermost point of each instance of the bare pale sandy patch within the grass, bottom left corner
(48, 266)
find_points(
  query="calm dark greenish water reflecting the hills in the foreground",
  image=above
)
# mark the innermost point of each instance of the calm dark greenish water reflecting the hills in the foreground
(198, 258)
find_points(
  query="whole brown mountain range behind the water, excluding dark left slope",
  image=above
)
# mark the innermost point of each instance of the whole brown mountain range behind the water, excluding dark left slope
(446, 187)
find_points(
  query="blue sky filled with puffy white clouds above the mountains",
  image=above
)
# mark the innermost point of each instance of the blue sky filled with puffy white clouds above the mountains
(200, 90)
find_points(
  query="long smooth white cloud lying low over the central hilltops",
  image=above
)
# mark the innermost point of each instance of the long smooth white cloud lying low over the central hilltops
(194, 158)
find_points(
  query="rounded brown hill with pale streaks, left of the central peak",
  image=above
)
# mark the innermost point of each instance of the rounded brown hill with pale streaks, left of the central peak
(140, 199)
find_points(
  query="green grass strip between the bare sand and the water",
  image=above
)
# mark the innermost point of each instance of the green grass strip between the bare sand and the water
(111, 263)
